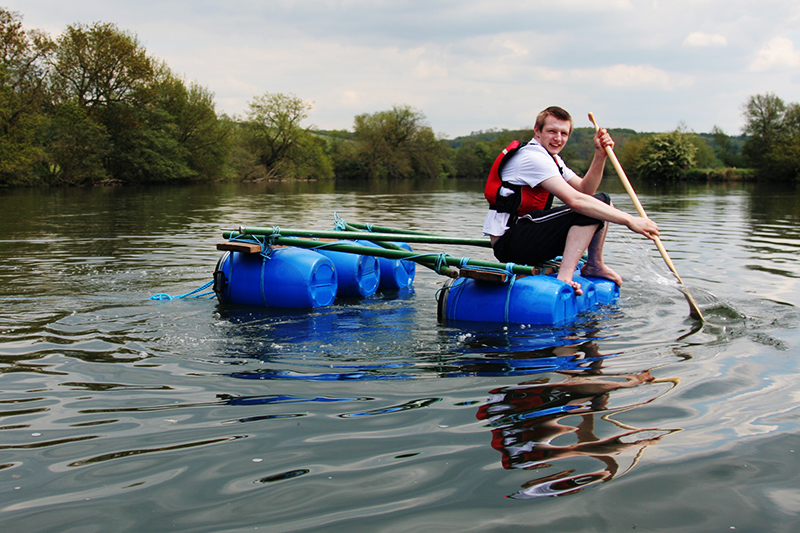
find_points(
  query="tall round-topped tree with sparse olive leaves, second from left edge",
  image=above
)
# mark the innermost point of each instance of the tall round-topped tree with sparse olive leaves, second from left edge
(105, 73)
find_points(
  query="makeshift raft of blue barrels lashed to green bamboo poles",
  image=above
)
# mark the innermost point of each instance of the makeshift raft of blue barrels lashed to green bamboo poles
(296, 269)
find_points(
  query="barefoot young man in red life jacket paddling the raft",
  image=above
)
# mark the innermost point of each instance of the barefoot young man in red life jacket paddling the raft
(522, 226)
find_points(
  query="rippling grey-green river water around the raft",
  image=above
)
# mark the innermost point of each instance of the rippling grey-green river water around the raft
(121, 413)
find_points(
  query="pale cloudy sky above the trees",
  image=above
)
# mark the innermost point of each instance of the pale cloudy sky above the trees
(468, 65)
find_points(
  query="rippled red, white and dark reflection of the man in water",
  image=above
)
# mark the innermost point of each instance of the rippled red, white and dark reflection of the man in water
(527, 418)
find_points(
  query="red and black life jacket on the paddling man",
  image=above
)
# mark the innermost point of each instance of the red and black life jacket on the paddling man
(524, 200)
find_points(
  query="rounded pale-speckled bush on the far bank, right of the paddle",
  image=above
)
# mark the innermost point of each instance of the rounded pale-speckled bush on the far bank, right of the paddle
(666, 156)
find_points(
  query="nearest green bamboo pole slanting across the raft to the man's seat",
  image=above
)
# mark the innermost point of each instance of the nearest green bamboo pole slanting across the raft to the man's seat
(423, 258)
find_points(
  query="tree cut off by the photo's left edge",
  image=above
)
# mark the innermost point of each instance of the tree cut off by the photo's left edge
(23, 70)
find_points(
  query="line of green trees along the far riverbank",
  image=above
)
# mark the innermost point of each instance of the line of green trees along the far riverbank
(92, 107)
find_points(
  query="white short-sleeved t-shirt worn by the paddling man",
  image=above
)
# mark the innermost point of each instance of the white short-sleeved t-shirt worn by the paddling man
(531, 165)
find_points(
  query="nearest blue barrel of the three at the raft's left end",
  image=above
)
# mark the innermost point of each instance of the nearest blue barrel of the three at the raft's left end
(289, 278)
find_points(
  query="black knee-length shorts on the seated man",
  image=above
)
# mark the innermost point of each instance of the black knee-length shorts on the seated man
(541, 235)
